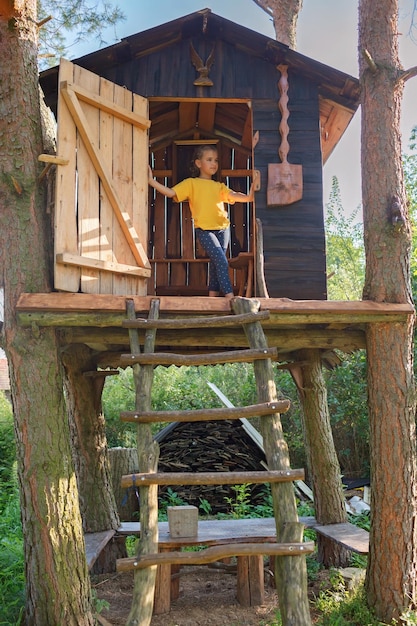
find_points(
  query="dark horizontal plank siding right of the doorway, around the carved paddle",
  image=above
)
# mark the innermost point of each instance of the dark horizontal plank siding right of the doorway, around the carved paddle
(294, 240)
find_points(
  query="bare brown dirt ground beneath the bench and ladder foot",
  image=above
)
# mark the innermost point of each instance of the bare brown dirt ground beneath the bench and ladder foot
(207, 598)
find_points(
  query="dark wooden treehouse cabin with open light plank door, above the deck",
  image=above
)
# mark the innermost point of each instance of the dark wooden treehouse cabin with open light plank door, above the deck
(153, 97)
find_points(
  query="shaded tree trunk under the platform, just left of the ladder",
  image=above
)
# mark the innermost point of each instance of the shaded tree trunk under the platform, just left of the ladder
(97, 504)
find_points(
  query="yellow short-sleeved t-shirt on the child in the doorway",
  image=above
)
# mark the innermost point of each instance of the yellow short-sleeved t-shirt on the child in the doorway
(206, 198)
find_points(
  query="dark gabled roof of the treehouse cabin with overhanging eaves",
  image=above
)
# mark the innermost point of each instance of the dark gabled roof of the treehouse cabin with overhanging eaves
(338, 92)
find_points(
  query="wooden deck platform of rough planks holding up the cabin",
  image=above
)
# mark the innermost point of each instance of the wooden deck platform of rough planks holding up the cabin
(96, 320)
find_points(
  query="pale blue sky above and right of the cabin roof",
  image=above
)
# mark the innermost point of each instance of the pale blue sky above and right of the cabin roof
(326, 32)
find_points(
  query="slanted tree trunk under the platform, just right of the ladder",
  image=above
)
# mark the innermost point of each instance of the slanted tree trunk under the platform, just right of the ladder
(323, 464)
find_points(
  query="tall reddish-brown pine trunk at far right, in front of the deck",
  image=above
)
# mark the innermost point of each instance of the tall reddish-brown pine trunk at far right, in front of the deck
(391, 577)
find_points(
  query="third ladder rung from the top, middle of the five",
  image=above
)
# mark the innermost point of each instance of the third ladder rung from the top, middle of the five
(203, 415)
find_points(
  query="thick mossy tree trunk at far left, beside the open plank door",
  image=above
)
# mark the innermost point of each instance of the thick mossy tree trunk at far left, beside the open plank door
(57, 582)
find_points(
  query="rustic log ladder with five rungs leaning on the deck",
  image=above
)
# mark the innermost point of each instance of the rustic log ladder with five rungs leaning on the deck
(290, 573)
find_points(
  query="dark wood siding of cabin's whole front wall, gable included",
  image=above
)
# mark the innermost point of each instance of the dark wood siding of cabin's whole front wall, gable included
(294, 238)
